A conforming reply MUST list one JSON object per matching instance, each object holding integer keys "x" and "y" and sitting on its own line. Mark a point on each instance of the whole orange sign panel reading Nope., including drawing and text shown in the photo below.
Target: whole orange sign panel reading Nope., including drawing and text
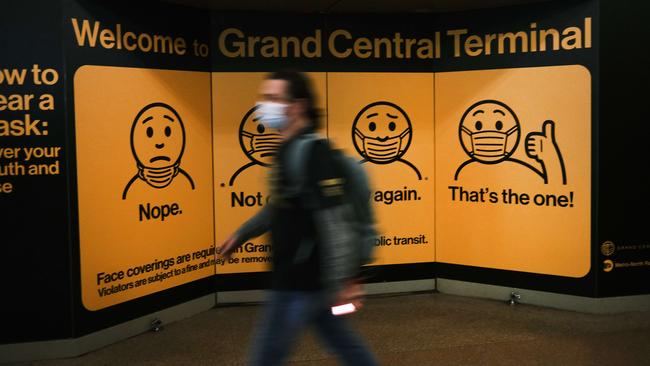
{"x": 144, "y": 181}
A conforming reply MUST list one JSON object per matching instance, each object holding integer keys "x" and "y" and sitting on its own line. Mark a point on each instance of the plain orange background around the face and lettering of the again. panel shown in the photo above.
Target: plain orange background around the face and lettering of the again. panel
{"x": 349, "y": 93}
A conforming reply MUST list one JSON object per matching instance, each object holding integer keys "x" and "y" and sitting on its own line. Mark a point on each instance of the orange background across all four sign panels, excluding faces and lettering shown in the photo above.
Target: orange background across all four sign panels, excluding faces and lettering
{"x": 531, "y": 238}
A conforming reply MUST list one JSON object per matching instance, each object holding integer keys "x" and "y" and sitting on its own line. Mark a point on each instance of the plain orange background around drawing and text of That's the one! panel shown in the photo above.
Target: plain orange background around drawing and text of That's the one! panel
{"x": 531, "y": 238}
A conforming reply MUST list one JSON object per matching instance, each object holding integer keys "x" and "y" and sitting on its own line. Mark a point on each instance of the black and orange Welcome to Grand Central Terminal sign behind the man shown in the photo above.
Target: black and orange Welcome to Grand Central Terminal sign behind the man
{"x": 476, "y": 137}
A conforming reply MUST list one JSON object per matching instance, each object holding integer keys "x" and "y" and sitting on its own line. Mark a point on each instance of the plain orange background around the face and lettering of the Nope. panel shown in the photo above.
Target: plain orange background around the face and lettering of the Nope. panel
{"x": 112, "y": 238}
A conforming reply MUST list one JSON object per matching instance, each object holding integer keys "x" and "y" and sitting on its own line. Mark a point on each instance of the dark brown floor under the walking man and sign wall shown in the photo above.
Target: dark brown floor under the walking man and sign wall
{"x": 415, "y": 329}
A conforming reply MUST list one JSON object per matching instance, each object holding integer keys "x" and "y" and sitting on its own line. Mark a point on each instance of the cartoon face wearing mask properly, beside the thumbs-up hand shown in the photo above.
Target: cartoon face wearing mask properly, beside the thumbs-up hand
{"x": 489, "y": 131}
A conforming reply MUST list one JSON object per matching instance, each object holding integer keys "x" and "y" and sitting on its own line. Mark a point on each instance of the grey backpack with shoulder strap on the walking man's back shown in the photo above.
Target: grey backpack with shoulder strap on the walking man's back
{"x": 356, "y": 191}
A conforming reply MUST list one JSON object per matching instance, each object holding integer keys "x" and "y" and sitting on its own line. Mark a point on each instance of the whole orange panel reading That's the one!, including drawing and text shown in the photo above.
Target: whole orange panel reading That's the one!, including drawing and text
{"x": 513, "y": 169}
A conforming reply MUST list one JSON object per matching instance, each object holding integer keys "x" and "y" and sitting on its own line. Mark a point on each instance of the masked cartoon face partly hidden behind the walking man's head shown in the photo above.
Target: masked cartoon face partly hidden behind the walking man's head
{"x": 259, "y": 142}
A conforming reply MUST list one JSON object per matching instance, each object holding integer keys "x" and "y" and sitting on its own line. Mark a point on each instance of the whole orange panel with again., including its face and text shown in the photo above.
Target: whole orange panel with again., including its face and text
{"x": 386, "y": 121}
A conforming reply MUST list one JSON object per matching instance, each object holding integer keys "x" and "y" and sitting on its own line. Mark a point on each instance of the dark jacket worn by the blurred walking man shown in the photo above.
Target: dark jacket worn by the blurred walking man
{"x": 306, "y": 218}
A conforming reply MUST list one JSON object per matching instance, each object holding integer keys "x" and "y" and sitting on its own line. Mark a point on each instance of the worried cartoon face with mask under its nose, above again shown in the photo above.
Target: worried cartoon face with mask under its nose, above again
{"x": 381, "y": 132}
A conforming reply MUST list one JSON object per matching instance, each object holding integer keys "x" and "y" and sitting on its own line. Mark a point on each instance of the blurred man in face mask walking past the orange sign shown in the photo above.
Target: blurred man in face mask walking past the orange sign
{"x": 311, "y": 270}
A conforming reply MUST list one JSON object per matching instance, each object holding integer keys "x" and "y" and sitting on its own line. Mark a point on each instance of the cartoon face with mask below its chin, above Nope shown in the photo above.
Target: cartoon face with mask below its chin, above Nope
{"x": 157, "y": 143}
